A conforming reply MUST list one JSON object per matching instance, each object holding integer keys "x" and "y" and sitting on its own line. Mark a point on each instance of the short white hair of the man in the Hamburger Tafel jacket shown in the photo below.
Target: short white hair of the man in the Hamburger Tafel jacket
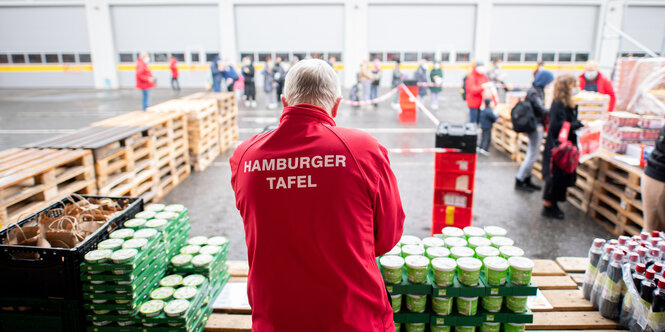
{"x": 312, "y": 82}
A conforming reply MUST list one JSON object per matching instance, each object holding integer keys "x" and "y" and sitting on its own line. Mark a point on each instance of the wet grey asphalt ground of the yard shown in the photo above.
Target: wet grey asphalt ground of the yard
{"x": 30, "y": 115}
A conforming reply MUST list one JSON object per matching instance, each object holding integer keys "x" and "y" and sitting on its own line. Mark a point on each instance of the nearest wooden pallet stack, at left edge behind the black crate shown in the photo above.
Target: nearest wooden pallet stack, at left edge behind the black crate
{"x": 32, "y": 179}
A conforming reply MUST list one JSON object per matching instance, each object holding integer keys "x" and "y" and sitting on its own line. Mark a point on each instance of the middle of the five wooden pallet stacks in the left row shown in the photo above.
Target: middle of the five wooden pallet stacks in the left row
{"x": 171, "y": 144}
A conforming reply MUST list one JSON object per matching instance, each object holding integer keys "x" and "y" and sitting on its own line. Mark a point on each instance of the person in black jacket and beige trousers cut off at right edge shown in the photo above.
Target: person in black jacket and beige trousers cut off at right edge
{"x": 653, "y": 187}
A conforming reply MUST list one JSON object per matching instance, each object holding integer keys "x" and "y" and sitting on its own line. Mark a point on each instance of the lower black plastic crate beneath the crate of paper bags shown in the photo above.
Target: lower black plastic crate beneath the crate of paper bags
{"x": 21, "y": 314}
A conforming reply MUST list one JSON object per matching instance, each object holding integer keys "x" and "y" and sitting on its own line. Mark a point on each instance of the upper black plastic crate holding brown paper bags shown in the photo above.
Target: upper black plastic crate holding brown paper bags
{"x": 56, "y": 273}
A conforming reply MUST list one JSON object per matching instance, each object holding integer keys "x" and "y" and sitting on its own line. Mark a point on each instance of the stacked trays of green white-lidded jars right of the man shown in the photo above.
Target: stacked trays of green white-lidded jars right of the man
{"x": 469, "y": 279}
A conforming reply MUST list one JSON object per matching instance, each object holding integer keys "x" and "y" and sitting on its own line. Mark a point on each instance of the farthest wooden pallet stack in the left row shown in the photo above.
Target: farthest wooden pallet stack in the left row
{"x": 228, "y": 115}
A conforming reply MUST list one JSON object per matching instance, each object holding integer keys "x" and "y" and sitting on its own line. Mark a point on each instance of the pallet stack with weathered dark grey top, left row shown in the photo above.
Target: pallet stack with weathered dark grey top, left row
{"x": 124, "y": 158}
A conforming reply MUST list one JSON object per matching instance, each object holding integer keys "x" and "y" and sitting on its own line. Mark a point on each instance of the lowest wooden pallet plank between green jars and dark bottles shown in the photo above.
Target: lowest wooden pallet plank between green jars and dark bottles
{"x": 573, "y": 320}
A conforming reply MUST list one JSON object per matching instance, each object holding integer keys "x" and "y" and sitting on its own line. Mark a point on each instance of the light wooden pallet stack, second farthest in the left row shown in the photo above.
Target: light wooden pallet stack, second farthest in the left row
{"x": 203, "y": 122}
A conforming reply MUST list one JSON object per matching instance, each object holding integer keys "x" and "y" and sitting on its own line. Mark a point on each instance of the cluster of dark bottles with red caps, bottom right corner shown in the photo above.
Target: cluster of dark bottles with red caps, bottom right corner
{"x": 624, "y": 280}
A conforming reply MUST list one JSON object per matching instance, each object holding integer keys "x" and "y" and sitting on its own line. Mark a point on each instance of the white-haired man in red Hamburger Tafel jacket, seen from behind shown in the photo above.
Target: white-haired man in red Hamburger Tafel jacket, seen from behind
{"x": 319, "y": 203}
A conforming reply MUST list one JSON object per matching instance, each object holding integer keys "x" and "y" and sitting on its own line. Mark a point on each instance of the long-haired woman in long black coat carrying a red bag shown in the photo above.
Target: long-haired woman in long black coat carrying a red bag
{"x": 563, "y": 110}
